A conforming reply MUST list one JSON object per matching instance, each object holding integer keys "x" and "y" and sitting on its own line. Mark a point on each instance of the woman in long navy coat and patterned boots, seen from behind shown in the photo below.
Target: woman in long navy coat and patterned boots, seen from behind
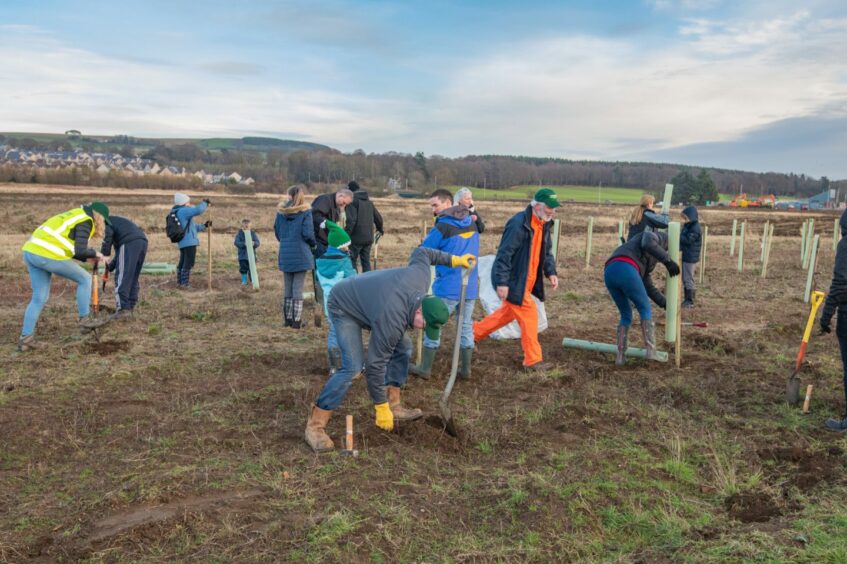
{"x": 296, "y": 235}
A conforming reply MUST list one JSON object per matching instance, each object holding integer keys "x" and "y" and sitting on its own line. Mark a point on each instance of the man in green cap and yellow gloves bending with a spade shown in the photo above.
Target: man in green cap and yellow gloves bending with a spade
{"x": 388, "y": 303}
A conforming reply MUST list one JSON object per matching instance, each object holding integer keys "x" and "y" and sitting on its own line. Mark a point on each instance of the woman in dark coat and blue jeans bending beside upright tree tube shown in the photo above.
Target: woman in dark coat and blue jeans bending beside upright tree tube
{"x": 627, "y": 277}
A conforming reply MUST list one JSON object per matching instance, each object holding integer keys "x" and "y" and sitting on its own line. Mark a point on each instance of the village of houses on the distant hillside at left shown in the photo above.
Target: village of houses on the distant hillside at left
{"x": 109, "y": 163}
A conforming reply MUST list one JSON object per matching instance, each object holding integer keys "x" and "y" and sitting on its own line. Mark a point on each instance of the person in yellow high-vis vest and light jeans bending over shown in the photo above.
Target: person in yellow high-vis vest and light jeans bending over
{"x": 50, "y": 251}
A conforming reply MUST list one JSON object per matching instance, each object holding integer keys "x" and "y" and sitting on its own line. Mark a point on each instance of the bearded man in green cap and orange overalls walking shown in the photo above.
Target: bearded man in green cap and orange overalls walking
{"x": 524, "y": 258}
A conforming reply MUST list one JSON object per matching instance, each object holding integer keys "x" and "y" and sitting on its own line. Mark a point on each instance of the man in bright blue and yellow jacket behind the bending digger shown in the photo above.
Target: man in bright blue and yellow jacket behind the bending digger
{"x": 456, "y": 232}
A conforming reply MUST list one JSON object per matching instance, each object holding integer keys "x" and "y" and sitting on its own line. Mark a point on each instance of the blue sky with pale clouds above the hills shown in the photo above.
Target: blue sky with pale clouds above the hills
{"x": 758, "y": 85}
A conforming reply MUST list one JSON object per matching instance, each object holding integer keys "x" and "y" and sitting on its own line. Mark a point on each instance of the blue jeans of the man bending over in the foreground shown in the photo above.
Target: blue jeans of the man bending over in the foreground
{"x": 349, "y": 335}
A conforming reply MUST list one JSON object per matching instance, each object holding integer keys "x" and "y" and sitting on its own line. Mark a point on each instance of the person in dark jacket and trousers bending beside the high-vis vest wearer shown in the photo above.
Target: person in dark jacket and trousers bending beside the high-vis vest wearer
{"x": 130, "y": 245}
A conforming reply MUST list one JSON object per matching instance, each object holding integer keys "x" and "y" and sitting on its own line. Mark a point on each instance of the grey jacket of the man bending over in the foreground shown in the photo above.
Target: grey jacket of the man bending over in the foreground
{"x": 385, "y": 301}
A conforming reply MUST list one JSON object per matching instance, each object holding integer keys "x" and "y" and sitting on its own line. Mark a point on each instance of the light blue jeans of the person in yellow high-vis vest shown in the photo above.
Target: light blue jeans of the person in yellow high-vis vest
{"x": 41, "y": 270}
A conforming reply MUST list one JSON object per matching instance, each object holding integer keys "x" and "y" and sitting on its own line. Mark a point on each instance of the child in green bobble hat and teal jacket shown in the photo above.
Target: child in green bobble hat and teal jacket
{"x": 332, "y": 267}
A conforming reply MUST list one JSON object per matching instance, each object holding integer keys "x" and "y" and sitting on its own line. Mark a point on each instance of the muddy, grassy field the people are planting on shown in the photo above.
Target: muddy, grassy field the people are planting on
{"x": 179, "y": 435}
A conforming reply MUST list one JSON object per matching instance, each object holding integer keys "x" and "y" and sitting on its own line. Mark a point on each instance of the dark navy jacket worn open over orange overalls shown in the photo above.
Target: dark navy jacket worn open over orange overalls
{"x": 512, "y": 261}
